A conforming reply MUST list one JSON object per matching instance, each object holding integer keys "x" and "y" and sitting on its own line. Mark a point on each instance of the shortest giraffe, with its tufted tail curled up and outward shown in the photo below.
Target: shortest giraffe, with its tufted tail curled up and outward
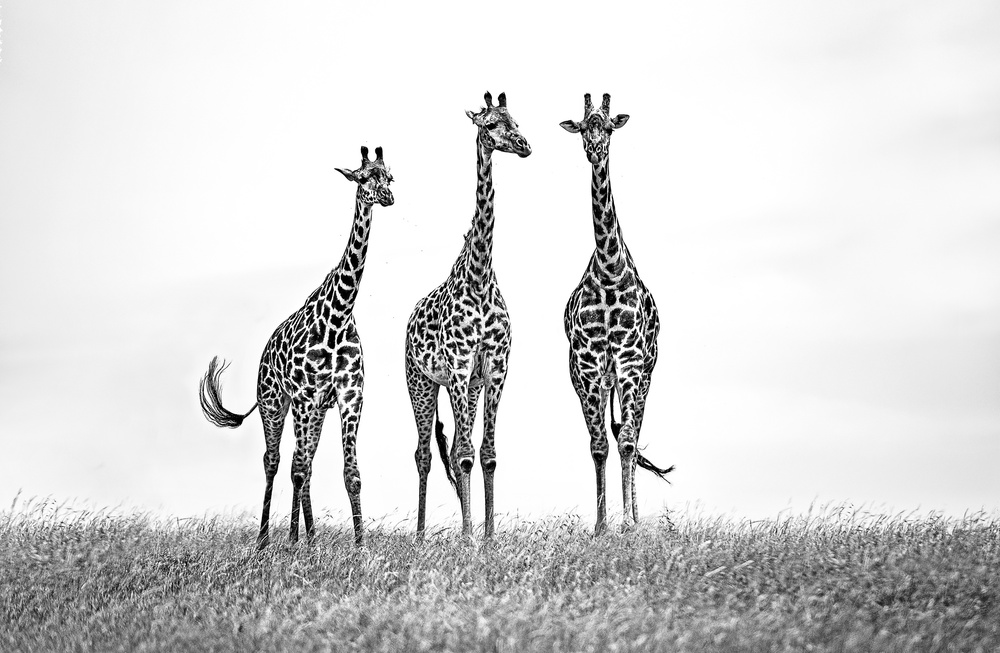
{"x": 311, "y": 363}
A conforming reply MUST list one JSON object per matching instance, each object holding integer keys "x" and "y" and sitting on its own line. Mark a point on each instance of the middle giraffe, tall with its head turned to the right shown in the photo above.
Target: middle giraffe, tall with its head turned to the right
{"x": 458, "y": 336}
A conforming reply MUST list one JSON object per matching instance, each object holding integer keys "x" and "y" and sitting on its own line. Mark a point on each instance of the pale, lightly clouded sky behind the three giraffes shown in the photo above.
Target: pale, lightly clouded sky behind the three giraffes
{"x": 808, "y": 189}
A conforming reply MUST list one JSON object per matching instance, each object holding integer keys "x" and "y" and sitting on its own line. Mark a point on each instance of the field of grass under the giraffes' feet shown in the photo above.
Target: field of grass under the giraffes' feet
{"x": 841, "y": 580}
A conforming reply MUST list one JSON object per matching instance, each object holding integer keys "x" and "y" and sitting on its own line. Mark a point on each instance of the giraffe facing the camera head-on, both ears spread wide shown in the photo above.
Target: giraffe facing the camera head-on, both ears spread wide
{"x": 612, "y": 324}
